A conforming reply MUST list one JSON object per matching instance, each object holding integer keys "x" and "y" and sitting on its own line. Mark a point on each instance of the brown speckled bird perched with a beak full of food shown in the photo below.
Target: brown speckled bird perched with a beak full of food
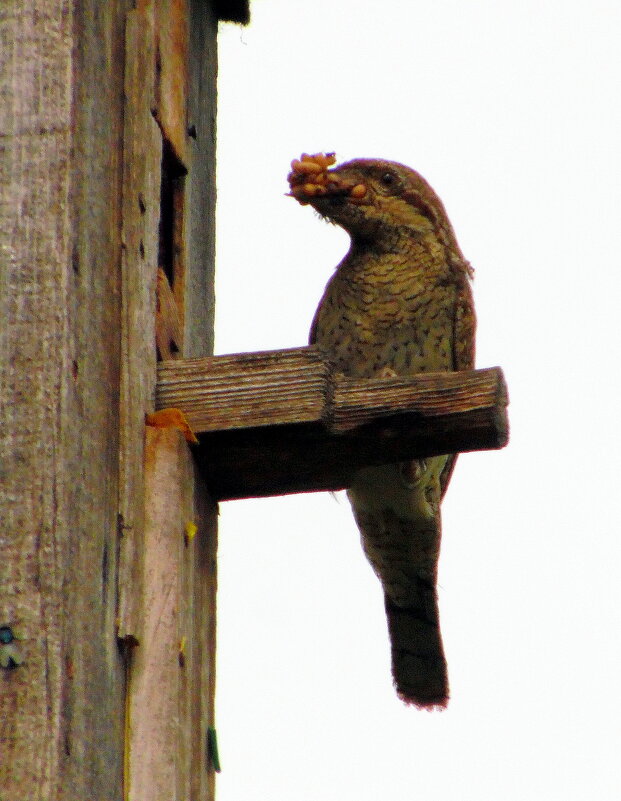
{"x": 399, "y": 304}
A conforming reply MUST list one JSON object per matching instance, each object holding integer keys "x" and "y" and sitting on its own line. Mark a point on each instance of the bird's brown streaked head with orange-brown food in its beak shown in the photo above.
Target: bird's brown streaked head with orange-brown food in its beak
{"x": 375, "y": 201}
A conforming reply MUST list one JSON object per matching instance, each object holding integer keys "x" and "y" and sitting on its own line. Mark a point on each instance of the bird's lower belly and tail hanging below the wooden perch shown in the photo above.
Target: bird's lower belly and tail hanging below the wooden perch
{"x": 397, "y": 509}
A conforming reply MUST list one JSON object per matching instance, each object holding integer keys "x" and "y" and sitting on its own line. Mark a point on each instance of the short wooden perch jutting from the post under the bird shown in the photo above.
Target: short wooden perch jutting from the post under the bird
{"x": 277, "y": 422}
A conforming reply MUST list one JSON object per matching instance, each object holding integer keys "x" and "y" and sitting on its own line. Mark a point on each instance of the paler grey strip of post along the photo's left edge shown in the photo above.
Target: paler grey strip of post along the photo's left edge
{"x": 35, "y": 232}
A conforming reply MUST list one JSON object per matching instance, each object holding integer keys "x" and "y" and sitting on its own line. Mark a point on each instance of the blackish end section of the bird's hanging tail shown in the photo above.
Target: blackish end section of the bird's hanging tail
{"x": 418, "y": 664}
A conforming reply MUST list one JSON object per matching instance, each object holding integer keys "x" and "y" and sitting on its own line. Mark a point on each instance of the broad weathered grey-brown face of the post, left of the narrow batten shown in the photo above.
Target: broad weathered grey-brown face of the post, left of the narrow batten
{"x": 60, "y": 197}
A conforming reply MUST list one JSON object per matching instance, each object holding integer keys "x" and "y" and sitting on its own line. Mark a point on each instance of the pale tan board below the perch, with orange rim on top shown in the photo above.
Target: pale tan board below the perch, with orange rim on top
{"x": 172, "y": 672}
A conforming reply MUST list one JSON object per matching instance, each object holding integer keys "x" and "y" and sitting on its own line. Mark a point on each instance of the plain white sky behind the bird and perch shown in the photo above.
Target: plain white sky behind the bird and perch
{"x": 512, "y": 112}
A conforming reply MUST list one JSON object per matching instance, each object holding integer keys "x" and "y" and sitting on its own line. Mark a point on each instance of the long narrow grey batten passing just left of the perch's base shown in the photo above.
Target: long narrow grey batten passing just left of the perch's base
{"x": 142, "y": 154}
